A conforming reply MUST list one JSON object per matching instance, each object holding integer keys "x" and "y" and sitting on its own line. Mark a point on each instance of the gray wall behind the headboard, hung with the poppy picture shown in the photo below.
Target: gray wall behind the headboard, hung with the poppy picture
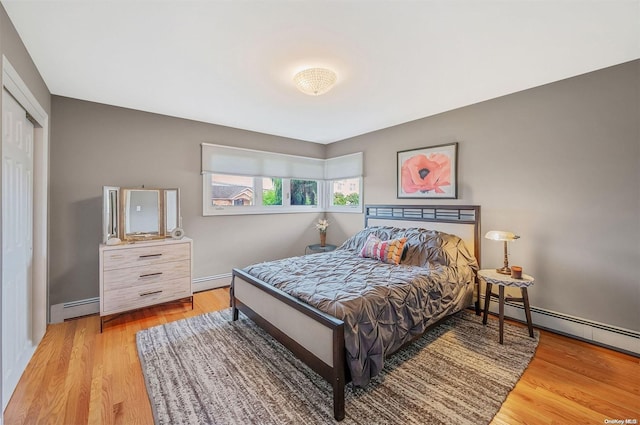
{"x": 558, "y": 165}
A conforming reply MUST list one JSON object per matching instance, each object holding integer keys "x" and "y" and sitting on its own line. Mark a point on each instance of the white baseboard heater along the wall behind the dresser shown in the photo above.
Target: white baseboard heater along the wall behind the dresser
{"x": 70, "y": 310}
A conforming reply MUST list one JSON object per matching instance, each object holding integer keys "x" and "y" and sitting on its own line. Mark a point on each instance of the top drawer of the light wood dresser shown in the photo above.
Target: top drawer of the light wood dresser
{"x": 145, "y": 255}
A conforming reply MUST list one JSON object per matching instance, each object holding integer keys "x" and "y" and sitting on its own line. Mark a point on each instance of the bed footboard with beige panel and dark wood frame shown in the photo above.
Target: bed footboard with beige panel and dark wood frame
{"x": 314, "y": 337}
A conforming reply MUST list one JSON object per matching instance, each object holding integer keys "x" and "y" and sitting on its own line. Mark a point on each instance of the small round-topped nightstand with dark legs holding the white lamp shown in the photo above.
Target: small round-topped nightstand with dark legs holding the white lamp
{"x": 492, "y": 277}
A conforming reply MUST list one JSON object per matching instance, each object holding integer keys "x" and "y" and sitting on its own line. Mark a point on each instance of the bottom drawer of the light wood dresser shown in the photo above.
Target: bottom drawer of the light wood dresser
{"x": 137, "y": 296}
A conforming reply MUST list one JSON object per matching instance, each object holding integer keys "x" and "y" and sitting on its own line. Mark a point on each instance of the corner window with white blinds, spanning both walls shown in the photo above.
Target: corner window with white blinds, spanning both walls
{"x": 238, "y": 181}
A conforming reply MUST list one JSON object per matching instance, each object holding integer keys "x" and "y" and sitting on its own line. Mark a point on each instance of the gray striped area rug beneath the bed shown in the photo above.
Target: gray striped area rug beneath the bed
{"x": 209, "y": 370}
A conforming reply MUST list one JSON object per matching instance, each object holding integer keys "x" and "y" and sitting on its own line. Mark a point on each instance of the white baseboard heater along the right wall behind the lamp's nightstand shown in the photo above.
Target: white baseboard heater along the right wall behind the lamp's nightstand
{"x": 599, "y": 333}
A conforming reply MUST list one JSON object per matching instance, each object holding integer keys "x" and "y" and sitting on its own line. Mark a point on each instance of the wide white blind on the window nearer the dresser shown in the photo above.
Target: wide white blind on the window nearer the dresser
{"x": 248, "y": 162}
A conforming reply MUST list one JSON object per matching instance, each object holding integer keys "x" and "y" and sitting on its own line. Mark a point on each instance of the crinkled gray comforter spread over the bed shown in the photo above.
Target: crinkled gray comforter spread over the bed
{"x": 383, "y": 305}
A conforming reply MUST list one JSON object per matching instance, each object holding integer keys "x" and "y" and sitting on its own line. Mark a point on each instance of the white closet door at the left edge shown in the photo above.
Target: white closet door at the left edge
{"x": 17, "y": 243}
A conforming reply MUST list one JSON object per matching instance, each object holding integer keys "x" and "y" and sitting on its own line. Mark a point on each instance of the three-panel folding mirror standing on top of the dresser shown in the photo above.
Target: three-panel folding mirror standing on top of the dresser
{"x": 139, "y": 214}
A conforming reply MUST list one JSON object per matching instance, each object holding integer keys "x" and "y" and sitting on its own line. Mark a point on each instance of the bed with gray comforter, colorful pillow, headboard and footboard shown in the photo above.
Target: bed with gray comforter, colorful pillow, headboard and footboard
{"x": 343, "y": 312}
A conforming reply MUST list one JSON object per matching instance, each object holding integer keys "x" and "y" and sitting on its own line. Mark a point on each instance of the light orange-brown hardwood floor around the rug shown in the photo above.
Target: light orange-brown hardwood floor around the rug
{"x": 79, "y": 376}
